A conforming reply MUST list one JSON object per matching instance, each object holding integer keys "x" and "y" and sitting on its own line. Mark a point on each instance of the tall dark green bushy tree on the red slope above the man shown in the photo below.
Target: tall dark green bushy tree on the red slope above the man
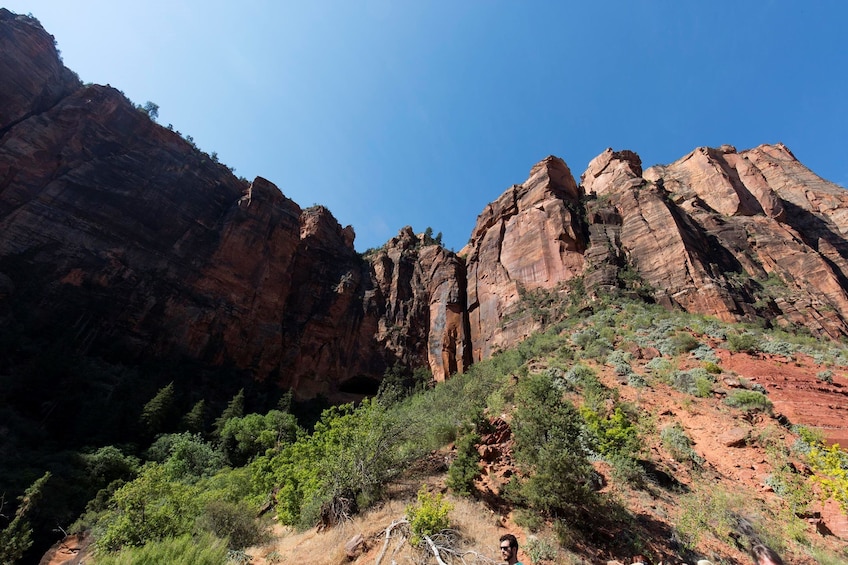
{"x": 548, "y": 449}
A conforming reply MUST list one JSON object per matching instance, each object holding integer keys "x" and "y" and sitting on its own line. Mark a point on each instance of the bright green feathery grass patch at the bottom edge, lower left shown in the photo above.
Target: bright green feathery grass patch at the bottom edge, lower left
{"x": 203, "y": 549}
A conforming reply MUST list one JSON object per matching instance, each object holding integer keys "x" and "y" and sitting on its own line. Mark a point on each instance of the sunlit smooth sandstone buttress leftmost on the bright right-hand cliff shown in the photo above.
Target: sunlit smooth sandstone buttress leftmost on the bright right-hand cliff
{"x": 529, "y": 238}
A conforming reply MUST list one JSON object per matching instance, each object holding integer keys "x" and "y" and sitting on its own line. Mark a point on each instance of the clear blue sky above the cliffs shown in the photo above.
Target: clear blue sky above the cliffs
{"x": 420, "y": 112}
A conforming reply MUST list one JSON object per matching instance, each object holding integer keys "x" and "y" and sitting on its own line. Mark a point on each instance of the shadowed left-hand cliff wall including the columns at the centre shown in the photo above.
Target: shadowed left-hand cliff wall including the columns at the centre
{"x": 122, "y": 239}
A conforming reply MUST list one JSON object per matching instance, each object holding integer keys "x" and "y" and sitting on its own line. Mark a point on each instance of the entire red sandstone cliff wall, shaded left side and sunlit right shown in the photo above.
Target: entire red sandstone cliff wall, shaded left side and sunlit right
{"x": 145, "y": 247}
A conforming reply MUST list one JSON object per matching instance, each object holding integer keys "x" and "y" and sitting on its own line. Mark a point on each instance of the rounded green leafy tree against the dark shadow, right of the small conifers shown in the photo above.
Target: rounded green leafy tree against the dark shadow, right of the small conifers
{"x": 244, "y": 438}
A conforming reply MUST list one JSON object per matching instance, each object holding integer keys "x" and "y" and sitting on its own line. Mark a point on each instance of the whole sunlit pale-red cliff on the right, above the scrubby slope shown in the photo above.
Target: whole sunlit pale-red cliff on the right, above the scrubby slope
{"x": 720, "y": 232}
